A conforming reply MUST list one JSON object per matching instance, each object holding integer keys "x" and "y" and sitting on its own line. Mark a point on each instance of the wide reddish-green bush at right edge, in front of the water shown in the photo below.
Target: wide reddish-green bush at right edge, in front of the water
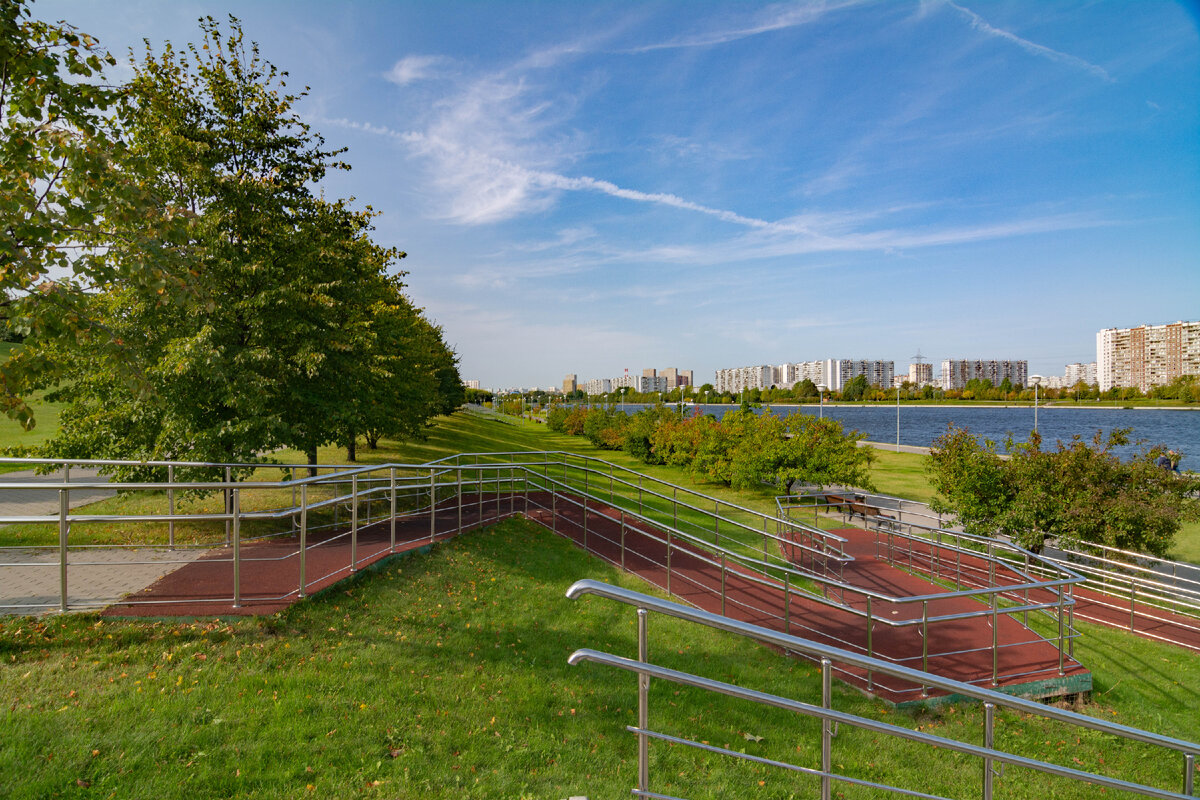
{"x": 1078, "y": 491}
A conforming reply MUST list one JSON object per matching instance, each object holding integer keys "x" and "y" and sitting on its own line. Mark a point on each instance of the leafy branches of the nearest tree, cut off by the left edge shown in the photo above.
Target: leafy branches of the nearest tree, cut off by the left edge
{"x": 67, "y": 190}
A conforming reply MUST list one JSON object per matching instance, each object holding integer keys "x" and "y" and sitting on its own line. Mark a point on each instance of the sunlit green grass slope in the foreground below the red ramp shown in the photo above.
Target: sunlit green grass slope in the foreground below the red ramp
{"x": 445, "y": 676}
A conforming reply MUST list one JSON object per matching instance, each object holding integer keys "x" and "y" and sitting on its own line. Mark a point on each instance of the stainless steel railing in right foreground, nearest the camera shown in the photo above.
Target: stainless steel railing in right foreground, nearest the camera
{"x": 825, "y": 773}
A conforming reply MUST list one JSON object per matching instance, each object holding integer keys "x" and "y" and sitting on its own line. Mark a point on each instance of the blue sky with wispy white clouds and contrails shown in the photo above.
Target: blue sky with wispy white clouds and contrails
{"x": 586, "y": 188}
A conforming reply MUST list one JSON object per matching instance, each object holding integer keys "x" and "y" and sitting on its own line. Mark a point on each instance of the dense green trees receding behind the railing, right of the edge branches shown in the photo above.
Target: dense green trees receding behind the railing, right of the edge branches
{"x": 290, "y": 332}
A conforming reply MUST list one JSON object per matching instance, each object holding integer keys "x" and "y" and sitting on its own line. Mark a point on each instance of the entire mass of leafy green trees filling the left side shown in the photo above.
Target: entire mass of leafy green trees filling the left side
{"x": 178, "y": 279}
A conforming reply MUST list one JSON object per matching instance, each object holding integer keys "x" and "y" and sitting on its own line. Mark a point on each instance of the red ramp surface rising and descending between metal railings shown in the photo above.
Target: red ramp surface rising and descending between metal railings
{"x": 959, "y": 649}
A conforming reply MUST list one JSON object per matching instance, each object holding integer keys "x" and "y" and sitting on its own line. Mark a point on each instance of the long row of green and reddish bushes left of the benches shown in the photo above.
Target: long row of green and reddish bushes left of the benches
{"x": 742, "y": 450}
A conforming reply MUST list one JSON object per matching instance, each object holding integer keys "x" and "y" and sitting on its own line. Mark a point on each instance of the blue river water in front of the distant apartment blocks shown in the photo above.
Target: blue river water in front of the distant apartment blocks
{"x": 920, "y": 425}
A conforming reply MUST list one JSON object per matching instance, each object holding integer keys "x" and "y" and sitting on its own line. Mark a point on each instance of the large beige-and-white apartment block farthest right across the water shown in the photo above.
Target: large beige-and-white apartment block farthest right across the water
{"x": 1147, "y": 357}
